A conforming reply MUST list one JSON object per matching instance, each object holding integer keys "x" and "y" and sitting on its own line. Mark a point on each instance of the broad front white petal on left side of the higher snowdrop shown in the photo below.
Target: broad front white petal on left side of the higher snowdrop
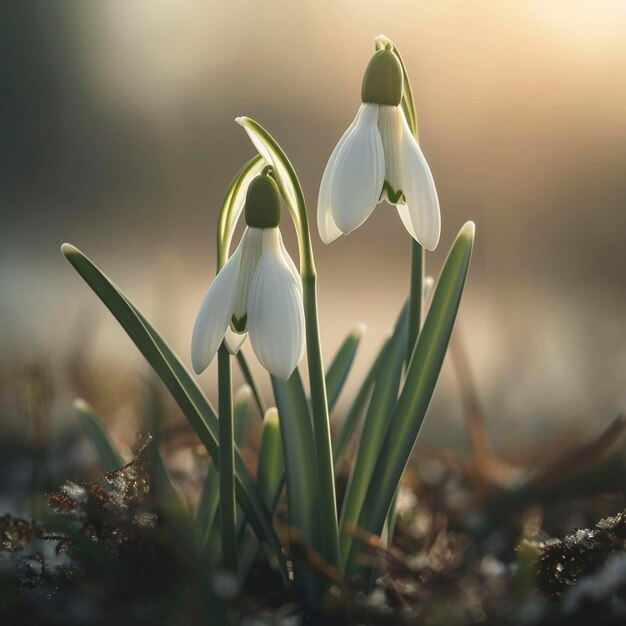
{"x": 358, "y": 173}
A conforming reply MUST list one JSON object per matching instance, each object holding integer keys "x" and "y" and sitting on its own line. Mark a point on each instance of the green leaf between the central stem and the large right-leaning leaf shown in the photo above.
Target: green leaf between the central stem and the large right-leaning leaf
{"x": 375, "y": 426}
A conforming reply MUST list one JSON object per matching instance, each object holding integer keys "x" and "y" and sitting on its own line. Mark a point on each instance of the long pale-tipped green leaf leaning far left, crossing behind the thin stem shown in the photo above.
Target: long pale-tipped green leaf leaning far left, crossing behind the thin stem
{"x": 184, "y": 390}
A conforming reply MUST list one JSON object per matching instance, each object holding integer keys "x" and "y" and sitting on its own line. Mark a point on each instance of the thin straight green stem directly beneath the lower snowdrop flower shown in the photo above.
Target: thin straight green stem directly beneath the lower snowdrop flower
{"x": 226, "y": 462}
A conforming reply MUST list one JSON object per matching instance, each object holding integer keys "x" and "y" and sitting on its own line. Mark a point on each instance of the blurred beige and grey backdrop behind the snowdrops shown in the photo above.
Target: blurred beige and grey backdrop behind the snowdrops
{"x": 117, "y": 135}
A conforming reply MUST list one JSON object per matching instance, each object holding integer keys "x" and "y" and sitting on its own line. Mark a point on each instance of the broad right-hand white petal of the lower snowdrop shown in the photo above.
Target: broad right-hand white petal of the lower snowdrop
{"x": 275, "y": 310}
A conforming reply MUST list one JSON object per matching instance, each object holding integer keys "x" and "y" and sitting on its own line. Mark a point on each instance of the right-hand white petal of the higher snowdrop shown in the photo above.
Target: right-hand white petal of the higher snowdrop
{"x": 419, "y": 191}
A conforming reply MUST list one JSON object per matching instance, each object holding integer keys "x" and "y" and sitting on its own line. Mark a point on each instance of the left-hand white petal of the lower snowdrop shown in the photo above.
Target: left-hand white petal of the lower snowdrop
{"x": 215, "y": 313}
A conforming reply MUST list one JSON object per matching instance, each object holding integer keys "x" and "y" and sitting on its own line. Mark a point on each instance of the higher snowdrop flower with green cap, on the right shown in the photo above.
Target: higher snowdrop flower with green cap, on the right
{"x": 378, "y": 158}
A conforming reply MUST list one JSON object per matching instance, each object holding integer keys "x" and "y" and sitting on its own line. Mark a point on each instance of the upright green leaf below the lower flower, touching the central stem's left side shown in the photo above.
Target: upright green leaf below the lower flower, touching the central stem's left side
{"x": 300, "y": 466}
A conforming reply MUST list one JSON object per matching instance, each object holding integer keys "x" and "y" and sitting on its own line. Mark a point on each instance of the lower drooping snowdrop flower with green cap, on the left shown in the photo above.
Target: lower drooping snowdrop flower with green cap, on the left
{"x": 257, "y": 292}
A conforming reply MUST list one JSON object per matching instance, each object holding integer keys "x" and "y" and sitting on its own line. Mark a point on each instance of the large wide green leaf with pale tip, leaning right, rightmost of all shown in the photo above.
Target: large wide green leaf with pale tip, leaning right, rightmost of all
{"x": 421, "y": 377}
